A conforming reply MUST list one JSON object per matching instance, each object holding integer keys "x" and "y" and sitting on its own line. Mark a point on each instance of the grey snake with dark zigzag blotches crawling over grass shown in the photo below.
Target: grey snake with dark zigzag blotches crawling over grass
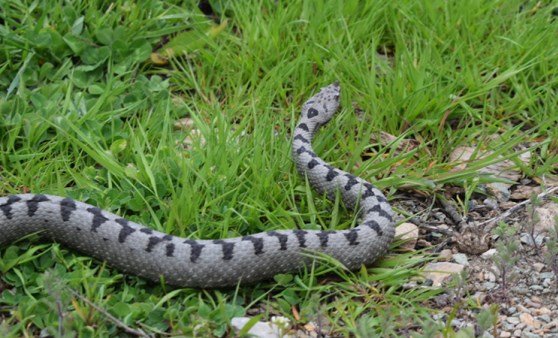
{"x": 184, "y": 262}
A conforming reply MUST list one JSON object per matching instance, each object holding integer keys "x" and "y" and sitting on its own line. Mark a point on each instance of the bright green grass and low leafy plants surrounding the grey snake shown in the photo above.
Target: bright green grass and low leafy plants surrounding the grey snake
{"x": 85, "y": 113}
